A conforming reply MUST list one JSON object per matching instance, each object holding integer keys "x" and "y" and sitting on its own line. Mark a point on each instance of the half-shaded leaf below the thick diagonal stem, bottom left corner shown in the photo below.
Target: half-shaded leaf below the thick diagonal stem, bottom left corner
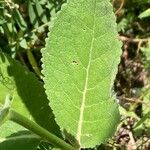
{"x": 15, "y": 137}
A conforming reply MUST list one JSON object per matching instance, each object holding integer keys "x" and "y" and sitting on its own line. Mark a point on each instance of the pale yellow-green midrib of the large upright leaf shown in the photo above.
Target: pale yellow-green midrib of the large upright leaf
{"x": 81, "y": 117}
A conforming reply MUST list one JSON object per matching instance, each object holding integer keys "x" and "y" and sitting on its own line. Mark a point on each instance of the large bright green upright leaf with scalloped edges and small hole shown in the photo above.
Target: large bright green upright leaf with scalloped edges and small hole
{"x": 80, "y": 64}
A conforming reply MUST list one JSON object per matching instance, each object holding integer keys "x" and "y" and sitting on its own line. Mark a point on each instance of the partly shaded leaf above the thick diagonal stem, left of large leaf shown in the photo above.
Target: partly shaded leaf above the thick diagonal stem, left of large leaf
{"x": 29, "y": 98}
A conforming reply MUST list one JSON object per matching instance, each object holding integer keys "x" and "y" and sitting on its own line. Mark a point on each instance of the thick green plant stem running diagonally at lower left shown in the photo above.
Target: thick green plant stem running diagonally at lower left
{"x": 43, "y": 133}
